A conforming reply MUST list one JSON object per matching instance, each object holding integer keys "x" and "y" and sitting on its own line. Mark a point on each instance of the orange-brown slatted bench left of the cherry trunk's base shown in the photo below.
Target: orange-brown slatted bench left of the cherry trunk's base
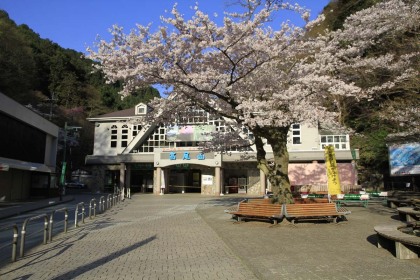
{"x": 263, "y": 211}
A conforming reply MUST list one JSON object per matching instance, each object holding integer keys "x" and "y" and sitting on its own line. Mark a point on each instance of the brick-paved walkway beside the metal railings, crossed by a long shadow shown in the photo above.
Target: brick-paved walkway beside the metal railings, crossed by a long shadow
{"x": 147, "y": 237}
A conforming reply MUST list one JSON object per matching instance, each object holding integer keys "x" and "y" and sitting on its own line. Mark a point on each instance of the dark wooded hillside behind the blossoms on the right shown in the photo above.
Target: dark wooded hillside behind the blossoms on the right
{"x": 396, "y": 113}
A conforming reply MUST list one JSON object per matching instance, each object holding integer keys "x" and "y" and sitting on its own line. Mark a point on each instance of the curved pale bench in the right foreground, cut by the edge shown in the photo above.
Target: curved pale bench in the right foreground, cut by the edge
{"x": 406, "y": 245}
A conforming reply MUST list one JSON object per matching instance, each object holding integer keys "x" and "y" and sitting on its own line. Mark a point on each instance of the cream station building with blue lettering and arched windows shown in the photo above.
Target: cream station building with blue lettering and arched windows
{"x": 162, "y": 159}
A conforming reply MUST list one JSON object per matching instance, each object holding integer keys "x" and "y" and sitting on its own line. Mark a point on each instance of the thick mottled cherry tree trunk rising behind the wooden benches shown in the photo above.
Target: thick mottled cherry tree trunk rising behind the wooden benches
{"x": 275, "y": 169}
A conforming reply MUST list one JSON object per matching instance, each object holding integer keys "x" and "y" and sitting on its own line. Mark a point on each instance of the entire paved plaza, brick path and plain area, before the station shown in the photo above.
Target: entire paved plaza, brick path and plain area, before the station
{"x": 190, "y": 237}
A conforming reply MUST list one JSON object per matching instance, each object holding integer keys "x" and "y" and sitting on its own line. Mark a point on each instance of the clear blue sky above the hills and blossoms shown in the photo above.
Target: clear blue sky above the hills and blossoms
{"x": 75, "y": 24}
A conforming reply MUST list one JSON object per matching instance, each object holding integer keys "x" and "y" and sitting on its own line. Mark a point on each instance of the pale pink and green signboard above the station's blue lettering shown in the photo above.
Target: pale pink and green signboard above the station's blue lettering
{"x": 189, "y": 133}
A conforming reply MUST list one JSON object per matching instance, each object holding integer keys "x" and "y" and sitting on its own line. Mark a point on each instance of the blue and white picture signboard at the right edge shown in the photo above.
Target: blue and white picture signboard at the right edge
{"x": 404, "y": 159}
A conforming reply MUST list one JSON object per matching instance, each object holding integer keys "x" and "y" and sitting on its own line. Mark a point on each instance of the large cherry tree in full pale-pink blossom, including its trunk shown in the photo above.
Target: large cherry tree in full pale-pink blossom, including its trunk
{"x": 258, "y": 76}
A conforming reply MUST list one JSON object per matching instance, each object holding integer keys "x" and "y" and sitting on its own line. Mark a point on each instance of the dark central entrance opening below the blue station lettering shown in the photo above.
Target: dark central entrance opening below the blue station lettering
{"x": 185, "y": 181}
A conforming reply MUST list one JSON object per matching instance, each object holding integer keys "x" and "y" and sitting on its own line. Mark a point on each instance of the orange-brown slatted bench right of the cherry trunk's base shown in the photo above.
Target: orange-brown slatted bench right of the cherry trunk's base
{"x": 314, "y": 211}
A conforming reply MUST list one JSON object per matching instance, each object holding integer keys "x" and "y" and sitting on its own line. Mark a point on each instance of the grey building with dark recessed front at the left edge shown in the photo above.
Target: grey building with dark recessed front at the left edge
{"x": 28, "y": 151}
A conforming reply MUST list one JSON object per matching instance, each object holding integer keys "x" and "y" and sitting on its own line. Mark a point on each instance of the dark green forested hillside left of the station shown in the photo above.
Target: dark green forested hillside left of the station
{"x": 57, "y": 83}
